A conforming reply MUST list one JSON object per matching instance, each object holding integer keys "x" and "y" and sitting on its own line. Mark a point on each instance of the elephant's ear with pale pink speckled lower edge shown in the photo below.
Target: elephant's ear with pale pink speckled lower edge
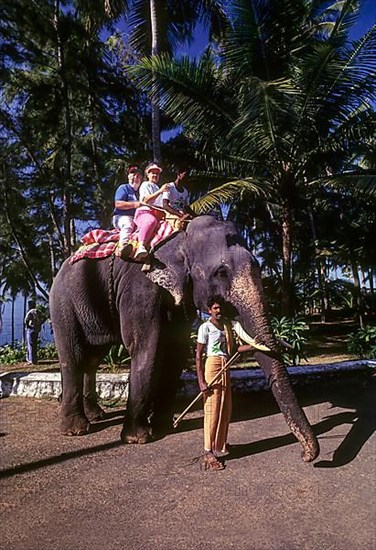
{"x": 170, "y": 267}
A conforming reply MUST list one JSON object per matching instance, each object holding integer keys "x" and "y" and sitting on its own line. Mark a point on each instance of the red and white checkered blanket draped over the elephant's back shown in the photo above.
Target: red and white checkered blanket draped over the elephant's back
{"x": 101, "y": 243}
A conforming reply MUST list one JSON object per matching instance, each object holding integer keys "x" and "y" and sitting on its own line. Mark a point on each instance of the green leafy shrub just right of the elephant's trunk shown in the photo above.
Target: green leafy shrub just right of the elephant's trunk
{"x": 293, "y": 332}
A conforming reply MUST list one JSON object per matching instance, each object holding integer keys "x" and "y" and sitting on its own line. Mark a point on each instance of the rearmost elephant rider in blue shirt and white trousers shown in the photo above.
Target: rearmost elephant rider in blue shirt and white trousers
{"x": 126, "y": 202}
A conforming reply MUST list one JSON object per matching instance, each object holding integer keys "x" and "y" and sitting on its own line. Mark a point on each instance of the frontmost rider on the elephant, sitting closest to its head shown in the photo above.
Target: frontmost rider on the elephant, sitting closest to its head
{"x": 176, "y": 200}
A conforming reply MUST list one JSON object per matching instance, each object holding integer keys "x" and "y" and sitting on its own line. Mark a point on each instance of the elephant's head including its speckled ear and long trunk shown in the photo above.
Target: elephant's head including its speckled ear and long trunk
{"x": 210, "y": 258}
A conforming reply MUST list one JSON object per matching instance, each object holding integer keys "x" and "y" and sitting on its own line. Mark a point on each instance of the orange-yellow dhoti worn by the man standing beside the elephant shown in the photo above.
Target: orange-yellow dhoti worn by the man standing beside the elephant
{"x": 217, "y": 406}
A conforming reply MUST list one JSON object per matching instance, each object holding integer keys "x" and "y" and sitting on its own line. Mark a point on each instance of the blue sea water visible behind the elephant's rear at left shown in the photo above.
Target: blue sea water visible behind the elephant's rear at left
{"x": 46, "y": 335}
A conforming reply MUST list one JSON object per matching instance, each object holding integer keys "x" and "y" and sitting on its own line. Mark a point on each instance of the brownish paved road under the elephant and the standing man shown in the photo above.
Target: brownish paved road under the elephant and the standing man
{"x": 93, "y": 493}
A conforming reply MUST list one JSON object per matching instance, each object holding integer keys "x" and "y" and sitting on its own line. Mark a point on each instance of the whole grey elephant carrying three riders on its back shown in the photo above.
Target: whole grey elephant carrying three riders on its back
{"x": 95, "y": 304}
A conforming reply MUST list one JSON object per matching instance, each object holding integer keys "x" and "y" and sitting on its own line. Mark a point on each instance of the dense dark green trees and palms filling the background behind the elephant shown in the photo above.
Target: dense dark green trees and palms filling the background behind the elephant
{"x": 276, "y": 120}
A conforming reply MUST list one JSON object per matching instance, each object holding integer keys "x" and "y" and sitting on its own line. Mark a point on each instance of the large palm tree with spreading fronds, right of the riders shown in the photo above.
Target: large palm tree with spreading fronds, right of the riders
{"x": 284, "y": 108}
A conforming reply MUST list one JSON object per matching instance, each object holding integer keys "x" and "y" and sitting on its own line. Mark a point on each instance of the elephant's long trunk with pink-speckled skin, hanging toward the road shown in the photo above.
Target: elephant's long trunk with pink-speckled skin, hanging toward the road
{"x": 246, "y": 295}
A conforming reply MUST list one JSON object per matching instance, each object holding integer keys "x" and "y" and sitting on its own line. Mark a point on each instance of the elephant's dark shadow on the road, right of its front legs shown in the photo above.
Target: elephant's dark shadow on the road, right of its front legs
{"x": 357, "y": 393}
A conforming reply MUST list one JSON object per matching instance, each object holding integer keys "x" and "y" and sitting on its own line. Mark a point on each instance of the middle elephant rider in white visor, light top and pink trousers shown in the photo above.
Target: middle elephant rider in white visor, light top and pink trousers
{"x": 151, "y": 210}
